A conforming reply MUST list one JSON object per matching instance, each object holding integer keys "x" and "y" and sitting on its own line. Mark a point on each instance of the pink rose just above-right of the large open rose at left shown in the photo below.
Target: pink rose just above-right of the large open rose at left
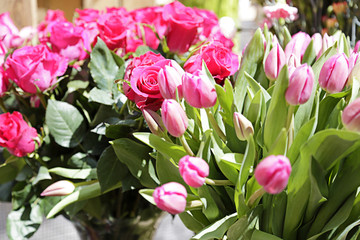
{"x": 69, "y": 41}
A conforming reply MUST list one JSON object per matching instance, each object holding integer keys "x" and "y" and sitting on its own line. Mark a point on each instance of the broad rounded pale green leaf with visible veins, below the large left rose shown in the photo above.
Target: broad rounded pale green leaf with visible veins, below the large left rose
{"x": 65, "y": 123}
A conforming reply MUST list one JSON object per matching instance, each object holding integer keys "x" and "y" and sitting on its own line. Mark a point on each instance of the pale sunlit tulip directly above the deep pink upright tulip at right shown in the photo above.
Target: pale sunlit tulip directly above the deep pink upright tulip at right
{"x": 297, "y": 45}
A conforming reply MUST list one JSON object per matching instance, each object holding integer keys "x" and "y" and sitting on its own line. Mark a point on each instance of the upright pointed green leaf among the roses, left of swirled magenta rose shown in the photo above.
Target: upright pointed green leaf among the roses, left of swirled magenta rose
{"x": 103, "y": 67}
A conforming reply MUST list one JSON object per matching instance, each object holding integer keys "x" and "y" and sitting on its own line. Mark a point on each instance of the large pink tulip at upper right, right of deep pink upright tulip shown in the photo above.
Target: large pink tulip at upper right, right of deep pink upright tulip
{"x": 334, "y": 73}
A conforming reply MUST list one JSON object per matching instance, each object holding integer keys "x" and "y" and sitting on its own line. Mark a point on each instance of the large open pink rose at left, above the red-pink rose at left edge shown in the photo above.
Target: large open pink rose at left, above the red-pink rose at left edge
{"x": 33, "y": 66}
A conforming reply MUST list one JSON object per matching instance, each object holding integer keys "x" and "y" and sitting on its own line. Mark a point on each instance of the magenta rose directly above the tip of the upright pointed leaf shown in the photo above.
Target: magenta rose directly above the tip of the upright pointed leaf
{"x": 113, "y": 29}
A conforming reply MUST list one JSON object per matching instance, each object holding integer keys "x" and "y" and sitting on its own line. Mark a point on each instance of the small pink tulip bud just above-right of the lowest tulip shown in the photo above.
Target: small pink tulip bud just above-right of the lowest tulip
{"x": 193, "y": 170}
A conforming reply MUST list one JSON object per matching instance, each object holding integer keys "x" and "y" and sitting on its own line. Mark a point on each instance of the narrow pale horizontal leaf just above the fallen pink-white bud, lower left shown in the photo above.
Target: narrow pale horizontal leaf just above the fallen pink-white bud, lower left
{"x": 88, "y": 173}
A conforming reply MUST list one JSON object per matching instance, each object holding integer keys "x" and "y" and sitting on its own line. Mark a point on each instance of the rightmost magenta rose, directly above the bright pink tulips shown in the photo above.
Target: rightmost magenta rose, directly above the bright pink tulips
{"x": 220, "y": 61}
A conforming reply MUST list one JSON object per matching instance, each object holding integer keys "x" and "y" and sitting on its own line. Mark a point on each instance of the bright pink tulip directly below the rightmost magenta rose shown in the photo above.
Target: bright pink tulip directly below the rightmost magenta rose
{"x": 198, "y": 90}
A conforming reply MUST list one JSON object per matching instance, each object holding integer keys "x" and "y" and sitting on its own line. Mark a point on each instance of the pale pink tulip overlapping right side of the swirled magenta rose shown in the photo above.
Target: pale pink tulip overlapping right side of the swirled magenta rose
{"x": 169, "y": 80}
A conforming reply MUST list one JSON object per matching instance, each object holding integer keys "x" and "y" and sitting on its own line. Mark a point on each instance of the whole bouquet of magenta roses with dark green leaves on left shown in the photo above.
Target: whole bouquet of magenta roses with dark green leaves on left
{"x": 72, "y": 94}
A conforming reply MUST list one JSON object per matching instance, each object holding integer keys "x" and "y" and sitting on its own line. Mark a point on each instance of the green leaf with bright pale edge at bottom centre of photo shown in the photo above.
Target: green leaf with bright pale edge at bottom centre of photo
{"x": 217, "y": 229}
